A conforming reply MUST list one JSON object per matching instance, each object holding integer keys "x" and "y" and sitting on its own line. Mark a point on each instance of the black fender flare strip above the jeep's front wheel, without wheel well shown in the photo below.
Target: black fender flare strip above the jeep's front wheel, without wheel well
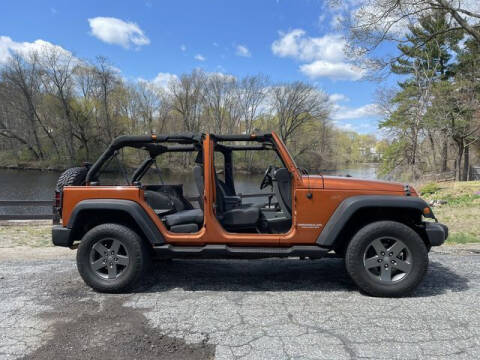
{"x": 351, "y": 205}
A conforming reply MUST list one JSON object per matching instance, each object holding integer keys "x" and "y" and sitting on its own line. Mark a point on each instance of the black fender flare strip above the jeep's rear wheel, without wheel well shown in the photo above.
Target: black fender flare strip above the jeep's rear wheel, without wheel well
{"x": 133, "y": 209}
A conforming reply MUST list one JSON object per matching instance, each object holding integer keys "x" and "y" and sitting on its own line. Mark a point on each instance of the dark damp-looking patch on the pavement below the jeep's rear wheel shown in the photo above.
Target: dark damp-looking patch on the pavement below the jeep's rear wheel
{"x": 108, "y": 330}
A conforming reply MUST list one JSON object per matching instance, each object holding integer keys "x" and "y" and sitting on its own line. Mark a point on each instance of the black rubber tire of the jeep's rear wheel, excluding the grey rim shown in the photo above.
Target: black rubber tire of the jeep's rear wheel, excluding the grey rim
{"x": 138, "y": 253}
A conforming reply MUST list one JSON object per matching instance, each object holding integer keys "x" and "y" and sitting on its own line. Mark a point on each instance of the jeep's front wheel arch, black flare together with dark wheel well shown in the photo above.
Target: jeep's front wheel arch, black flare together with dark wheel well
{"x": 356, "y": 212}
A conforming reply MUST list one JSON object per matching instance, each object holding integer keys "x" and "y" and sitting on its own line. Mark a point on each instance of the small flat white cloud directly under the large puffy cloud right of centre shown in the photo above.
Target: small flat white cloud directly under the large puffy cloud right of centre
{"x": 335, "y": 71}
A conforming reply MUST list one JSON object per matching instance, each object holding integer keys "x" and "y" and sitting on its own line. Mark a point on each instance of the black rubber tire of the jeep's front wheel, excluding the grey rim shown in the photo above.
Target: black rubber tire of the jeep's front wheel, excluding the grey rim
{"x": 354, "y": 259}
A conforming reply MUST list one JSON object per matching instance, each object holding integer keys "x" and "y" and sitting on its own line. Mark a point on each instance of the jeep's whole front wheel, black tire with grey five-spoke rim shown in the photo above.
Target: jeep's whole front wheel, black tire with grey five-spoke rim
{"x": 387, "y": 259}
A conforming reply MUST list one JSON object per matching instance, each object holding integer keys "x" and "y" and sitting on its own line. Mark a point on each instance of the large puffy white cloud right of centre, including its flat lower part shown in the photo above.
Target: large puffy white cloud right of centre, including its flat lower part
{"x": 323, "y": 56}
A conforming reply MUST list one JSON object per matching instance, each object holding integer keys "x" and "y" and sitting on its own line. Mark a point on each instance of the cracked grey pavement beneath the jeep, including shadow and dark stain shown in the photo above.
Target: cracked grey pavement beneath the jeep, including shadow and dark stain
{"x": 238, "y": 309}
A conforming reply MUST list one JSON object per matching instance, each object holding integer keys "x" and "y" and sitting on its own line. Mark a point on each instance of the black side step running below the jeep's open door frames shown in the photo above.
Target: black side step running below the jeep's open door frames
{"x": 239, "y": 252}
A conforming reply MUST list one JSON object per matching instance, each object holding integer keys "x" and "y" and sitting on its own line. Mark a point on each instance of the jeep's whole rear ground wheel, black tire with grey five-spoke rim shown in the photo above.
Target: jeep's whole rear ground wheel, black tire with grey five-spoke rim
{"x": 112, "y": 258}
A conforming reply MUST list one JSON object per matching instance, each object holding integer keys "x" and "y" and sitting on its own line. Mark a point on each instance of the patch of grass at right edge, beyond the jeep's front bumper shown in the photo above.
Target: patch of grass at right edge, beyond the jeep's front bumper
{"x": 461, "y": 212}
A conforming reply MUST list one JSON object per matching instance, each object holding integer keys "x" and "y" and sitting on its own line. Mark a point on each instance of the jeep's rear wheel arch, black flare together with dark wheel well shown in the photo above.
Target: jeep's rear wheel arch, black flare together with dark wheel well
{"x": 90, "y": 213}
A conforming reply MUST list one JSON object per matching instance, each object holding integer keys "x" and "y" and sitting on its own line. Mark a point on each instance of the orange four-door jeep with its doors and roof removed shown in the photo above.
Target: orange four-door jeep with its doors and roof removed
{"x": 380, "y": 228}
